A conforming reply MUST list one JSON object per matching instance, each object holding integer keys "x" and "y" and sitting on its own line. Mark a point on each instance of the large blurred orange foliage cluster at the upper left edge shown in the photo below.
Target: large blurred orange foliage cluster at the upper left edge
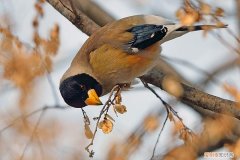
{"x": 22, "y": 65}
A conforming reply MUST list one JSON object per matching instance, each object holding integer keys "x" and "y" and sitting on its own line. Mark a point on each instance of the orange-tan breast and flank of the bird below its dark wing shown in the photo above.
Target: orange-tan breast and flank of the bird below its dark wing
{"x": 113, "y": 66}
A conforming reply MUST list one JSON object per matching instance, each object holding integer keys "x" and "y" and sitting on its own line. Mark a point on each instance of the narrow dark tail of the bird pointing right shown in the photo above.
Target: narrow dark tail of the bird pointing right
{"x": 200, "y": 27}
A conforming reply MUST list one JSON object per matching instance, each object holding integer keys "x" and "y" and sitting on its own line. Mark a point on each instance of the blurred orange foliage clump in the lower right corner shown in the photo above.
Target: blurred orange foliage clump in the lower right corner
{"x": 214, "y": 131}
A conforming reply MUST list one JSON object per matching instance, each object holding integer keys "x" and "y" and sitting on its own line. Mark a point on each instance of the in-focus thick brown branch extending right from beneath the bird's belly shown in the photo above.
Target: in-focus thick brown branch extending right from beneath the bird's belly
{"x": 196, "y": 97}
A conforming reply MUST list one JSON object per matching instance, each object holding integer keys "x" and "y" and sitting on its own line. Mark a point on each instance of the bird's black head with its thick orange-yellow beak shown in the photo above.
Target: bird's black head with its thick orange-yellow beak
{"x": 81, "y": 90}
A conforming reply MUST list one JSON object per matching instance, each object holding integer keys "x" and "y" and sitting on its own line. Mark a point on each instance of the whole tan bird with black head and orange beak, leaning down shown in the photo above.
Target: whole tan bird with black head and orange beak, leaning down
{"x": 117, "y": 53}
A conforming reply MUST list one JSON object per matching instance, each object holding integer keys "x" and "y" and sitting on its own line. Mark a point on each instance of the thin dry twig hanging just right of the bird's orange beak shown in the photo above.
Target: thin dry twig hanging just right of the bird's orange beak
{"x": 106, "y": 105}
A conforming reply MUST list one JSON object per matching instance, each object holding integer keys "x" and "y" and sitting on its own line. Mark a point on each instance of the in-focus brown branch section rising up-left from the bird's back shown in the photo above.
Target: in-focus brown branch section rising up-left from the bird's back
{"x": 81, "y": 21}
